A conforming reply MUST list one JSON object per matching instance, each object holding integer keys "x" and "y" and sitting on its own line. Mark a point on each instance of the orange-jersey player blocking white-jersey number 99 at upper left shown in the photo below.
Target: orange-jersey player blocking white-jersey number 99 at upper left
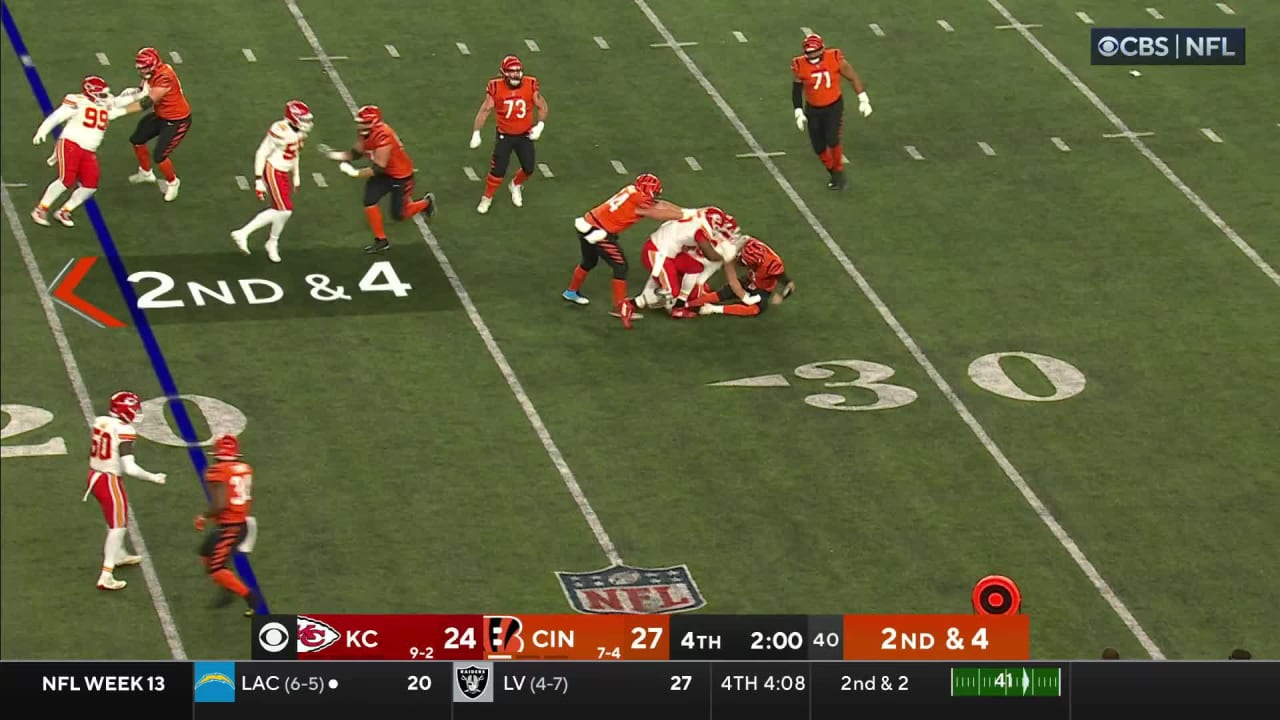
{"x": 167, "y": 121}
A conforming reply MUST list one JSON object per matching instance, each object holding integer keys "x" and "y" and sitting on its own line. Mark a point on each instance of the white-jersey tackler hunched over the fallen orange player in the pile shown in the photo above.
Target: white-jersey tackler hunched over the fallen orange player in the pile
{"x": 680, "y": 253}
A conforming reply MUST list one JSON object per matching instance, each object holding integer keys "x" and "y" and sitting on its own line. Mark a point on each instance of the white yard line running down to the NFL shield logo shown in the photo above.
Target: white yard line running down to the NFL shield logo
{"x": 500, "y": 358}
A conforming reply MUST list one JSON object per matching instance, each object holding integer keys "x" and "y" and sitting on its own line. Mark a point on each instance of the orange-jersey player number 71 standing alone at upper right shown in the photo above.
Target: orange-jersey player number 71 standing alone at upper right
{"x": 821, "y": 106}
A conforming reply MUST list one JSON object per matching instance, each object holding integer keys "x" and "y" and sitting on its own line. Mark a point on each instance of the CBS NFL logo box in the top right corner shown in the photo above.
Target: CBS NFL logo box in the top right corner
{"x": 1167, "y": 47}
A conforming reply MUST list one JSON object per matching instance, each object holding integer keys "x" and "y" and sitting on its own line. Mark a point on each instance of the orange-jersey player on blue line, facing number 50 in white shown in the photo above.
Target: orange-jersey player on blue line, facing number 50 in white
{"x": 231, "y": 500}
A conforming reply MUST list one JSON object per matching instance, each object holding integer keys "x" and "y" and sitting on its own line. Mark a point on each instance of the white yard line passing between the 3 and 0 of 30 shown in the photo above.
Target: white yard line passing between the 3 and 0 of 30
{"x": 1014, "y": 476}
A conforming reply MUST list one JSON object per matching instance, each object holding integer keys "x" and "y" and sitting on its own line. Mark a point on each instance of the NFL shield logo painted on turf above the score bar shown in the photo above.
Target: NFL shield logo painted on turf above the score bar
{"x": 624, "y": 590}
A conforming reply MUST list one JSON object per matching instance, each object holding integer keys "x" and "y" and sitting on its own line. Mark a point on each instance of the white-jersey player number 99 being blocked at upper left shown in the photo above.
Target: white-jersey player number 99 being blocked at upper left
{"x": 86, "y": 116}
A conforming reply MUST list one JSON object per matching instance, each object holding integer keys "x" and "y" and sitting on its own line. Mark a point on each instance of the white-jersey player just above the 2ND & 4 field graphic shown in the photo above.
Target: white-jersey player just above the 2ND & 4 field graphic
{"x": 276, "y": 166}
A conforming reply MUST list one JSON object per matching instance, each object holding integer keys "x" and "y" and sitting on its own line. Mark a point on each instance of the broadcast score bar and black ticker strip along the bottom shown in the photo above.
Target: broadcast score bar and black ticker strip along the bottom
{"x": 652, "y": 667}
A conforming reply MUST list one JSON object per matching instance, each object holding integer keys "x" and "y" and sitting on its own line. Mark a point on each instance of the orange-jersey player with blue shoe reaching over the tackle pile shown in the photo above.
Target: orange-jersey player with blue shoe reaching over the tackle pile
{"x": 600, "y": 229}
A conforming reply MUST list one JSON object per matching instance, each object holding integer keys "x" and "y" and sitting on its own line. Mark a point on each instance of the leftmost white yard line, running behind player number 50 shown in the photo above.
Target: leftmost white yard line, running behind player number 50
{"x": 65, "y": 349}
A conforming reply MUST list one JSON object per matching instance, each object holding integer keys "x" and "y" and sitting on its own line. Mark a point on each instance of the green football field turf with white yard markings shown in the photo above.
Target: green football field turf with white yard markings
{"x": 1039, "y": 335}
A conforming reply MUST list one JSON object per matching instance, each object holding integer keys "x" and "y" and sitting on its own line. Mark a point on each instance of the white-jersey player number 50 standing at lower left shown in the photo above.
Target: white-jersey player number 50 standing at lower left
{"x": 109, "y": 458}
